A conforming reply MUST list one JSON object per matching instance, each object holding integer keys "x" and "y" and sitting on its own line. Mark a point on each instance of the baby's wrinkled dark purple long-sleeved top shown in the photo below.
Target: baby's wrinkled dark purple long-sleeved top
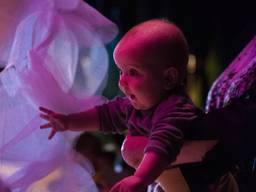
{"x": 166, "y": 125}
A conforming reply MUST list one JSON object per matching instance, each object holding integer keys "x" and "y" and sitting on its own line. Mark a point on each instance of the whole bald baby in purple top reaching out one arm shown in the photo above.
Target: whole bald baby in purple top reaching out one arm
{"x": 152, "y": 59}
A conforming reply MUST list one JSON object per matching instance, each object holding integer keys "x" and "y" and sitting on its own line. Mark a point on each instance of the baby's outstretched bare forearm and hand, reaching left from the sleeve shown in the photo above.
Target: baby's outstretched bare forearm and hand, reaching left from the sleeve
{"x": 83, "y": 121}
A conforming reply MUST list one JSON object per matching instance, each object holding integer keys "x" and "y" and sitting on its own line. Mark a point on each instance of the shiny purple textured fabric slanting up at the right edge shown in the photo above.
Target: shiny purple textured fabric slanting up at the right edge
{"x": 238, "y": 79}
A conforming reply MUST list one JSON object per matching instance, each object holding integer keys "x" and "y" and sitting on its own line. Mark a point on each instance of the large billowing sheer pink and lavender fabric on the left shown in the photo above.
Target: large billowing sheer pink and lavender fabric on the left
{"x": 54, "y": 56}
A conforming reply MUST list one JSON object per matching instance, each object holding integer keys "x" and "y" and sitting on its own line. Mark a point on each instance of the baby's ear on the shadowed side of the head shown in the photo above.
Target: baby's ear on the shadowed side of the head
{"x": 170, "y": 78}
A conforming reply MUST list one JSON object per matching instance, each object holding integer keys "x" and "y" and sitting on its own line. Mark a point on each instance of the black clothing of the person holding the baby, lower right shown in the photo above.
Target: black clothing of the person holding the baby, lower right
{"x": 234, "y": 127}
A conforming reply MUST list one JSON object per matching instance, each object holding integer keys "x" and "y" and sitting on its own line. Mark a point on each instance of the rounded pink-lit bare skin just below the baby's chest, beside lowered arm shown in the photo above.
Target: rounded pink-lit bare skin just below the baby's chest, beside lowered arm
{"x": 133, "y": 149}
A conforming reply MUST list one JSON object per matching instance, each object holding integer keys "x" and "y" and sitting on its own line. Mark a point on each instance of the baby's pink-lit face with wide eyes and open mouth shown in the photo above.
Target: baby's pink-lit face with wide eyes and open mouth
{"x": 141, "y": 83}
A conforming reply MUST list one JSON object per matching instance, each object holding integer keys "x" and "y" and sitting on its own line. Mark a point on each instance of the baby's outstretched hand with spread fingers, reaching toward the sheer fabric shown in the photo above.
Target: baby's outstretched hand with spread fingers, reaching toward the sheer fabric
{"x": 57, "y": 122}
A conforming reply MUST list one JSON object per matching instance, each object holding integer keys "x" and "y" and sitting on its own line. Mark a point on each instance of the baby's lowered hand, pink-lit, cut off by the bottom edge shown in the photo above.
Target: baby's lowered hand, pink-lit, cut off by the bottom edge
{"x": 130, "y": 184}
